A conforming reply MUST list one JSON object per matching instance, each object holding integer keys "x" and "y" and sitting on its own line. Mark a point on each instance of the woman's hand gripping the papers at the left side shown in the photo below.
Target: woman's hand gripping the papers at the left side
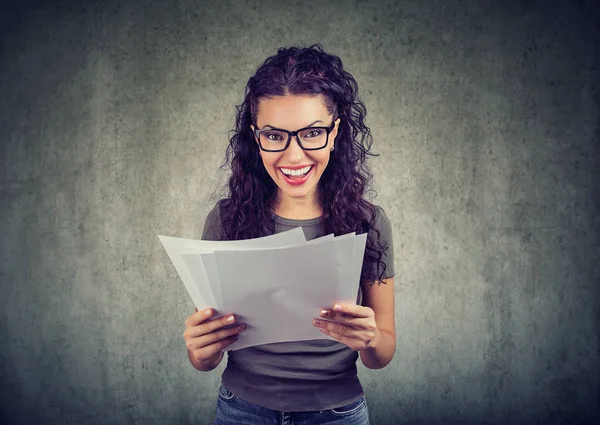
{"x": 206, "y": 339}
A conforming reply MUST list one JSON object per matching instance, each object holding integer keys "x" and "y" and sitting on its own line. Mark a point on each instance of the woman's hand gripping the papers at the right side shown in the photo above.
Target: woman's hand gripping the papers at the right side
{"x": 350, "y": 324}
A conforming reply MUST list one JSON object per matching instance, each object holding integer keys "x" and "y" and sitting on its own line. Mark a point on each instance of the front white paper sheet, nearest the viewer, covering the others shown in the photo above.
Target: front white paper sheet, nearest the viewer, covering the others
{"x": 277, "y": 292}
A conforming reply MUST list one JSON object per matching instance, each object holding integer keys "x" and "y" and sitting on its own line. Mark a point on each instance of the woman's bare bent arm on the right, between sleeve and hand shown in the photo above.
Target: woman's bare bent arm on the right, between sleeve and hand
{"x": 380, "y": 298}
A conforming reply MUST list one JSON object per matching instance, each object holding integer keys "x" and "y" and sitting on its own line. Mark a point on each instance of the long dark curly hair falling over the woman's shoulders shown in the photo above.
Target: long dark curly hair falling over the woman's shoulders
{"x": 248, "y": 211}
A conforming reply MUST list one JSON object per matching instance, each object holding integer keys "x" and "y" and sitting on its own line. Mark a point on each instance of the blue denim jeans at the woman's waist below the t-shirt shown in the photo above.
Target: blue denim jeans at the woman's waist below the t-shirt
{"x": 234, "y": 410}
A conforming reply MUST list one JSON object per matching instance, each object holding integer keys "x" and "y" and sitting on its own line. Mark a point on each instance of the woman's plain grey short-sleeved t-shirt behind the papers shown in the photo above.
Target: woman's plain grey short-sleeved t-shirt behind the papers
{"x": 297, "y": 376}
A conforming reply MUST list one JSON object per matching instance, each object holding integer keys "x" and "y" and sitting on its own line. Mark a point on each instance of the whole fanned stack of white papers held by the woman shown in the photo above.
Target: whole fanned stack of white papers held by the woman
{"x": 275, "y": 284}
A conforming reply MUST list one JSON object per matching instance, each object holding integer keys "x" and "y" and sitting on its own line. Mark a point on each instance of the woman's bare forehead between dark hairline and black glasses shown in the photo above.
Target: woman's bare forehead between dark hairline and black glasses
{"x": 291, "y": 111}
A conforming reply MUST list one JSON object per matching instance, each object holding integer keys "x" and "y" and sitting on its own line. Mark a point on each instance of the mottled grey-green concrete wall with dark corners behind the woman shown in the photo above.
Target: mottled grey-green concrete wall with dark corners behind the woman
{"x": 114, "y": 122}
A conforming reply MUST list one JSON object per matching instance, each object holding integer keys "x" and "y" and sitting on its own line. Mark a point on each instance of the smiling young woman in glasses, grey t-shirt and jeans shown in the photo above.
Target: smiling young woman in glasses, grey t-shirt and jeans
{"x": 298, "y": 160}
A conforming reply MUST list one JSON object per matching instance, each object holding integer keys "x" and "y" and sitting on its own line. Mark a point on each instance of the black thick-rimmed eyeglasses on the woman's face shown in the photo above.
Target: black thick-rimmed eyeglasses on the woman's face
{"x": 278, "y": 140}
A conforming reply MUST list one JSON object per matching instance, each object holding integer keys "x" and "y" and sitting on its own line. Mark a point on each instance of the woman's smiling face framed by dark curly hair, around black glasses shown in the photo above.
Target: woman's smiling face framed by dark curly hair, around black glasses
{"x": 293, "y": 112}
